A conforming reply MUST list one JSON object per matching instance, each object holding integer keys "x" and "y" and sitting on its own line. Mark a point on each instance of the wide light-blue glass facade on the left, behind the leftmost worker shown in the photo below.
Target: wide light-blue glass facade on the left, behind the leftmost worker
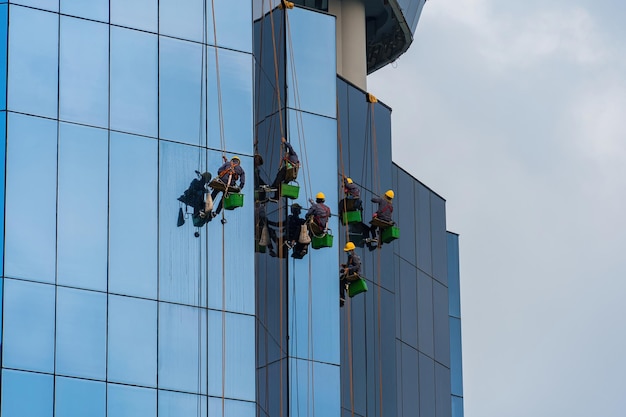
{"x": 109, "y": 308}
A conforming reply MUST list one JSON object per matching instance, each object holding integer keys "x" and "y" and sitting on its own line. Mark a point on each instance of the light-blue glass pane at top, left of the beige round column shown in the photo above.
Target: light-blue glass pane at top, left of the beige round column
{"x": 311, "y": 65}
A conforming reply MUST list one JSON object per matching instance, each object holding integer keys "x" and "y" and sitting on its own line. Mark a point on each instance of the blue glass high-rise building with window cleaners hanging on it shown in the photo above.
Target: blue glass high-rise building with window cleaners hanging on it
{"x": 111, "y": 307}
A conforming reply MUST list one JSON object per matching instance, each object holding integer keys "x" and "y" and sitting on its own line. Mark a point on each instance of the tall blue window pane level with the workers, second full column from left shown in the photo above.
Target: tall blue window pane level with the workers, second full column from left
{"x": 82, "y": 207}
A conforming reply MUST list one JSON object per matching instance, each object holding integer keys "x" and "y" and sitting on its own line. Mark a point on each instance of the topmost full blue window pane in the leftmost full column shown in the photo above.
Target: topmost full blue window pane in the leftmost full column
{"x": 33, "y": 61}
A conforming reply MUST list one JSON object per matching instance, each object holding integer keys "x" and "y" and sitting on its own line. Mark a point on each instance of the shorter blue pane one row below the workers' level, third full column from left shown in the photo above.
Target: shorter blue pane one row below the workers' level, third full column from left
{"x": 132, "y": 341}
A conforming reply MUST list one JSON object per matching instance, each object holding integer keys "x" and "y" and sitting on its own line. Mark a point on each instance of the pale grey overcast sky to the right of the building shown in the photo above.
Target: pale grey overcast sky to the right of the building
{"x": 515, "y": 113}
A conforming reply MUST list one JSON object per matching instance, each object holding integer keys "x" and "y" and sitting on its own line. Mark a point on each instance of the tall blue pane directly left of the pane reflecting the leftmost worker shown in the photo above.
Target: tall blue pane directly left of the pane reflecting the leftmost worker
{"x": 132, "y": 225}
